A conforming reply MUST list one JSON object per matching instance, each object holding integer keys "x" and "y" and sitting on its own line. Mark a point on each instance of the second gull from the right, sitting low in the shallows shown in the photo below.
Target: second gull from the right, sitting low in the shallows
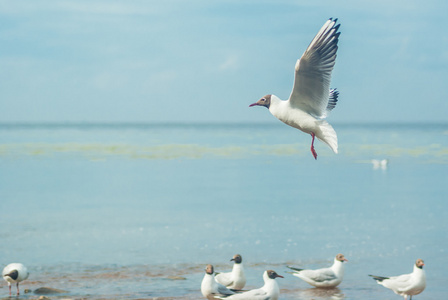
{"x": 323, "y": 278}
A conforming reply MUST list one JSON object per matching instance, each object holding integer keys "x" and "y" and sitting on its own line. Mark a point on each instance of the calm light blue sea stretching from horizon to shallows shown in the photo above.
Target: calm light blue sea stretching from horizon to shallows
{"x": 137, "y": 211}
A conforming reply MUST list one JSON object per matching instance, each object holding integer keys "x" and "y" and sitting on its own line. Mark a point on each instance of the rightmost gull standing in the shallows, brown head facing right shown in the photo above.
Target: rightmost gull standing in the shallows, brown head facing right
{"x": 407, "y": 284}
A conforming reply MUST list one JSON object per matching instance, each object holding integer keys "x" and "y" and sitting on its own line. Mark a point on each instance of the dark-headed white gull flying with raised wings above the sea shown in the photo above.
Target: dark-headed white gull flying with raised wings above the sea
{"x": 311, "y": 98}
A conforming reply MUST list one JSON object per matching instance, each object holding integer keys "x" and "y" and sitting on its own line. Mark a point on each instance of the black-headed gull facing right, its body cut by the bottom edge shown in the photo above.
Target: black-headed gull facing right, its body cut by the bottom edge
{"x": 269, "y": 291}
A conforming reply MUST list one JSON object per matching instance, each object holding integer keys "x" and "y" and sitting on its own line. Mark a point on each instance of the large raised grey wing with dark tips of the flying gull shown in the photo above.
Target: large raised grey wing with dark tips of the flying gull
{"x": 311, "y": 89}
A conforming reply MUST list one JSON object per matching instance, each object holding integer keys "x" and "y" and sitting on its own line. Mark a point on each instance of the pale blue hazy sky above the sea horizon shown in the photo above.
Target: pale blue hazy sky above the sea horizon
{"x": 206, "y": 61}
